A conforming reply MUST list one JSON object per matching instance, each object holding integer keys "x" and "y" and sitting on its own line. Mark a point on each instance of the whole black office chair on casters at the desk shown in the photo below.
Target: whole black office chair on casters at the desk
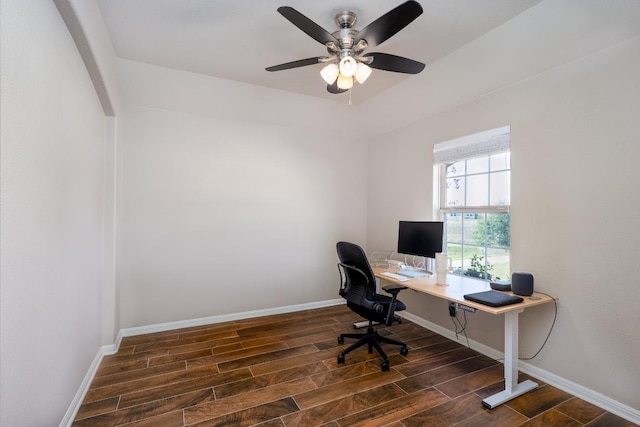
{"x": 358, "y": 287}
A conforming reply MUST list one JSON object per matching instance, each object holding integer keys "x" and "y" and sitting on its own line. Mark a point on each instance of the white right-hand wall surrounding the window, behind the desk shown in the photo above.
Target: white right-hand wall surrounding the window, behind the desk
{"x": 574, "y": 211}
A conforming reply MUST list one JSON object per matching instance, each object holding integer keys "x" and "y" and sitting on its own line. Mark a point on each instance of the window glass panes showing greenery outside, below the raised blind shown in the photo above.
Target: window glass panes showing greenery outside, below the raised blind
{"x": 475, "y": 208}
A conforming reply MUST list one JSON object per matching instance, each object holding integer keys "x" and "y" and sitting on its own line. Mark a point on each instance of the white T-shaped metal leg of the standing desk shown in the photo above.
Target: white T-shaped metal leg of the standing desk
{"x": 511, "y": 387}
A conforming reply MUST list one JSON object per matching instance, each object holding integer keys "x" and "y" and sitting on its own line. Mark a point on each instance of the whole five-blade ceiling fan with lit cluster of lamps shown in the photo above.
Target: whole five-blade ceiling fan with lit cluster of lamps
{"x": 346, "y": 60}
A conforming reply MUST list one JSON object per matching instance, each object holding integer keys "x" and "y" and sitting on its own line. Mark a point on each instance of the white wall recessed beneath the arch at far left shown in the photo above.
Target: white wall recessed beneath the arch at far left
{"x": 52, "y": 196}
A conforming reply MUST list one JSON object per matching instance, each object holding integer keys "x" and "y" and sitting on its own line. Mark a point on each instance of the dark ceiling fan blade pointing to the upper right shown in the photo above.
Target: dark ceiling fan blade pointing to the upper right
{"x": 390, "y": 23}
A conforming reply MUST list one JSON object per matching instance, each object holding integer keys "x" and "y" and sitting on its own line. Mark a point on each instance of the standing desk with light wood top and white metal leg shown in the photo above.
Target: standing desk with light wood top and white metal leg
{"x": 456, "y": 288}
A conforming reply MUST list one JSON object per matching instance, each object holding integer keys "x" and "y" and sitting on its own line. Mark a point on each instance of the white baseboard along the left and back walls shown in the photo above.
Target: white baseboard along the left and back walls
{"x": 170, "y": 326}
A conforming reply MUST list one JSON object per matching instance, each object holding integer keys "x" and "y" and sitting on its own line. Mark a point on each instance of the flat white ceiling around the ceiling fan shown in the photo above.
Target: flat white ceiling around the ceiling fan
{"x": 236, "y": 40}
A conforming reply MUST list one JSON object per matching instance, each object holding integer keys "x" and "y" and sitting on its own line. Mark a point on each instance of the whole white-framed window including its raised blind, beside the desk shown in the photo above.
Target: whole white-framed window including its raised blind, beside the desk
{"x": 473, "y": 199}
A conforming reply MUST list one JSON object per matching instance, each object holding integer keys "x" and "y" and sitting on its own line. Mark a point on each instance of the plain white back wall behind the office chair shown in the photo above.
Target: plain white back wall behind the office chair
{"x": 225, "y": 215}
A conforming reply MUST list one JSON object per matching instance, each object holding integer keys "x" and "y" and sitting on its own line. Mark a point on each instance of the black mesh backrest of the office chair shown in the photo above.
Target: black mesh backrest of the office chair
{"x": 359, "y": 284}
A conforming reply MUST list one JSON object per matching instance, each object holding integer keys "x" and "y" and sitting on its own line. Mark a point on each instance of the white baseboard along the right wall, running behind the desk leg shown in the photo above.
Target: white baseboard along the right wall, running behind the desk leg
{"x": 584, "y": 393}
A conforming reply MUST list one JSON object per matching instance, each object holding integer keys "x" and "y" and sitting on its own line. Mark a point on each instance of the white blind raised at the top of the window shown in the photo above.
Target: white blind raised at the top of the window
{"x": 480, "y": 144}
